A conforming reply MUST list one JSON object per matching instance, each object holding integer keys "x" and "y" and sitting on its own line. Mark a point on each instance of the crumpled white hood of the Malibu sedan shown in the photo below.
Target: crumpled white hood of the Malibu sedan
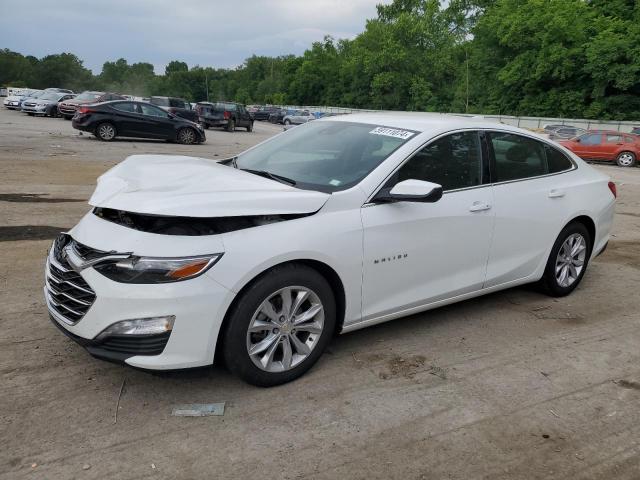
{"x": 197, "y": 187}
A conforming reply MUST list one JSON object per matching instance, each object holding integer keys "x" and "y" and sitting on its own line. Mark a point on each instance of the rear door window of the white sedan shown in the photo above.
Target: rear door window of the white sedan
{"x": 517, "y": 157}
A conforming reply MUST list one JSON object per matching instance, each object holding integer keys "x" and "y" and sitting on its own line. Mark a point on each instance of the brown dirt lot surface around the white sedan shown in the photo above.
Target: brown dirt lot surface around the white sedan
{"x": 512, "y": 385}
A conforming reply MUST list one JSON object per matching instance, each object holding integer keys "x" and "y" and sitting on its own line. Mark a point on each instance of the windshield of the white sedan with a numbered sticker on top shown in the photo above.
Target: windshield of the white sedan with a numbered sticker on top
{"x": 326, "y": 155}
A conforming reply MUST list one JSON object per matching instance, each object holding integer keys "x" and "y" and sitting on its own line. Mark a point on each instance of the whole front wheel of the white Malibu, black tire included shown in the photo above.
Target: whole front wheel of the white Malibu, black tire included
{"x": 279, "y": 327}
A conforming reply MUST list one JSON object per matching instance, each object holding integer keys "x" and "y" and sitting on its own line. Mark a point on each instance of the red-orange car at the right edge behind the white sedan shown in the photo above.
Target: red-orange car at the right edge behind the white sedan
{"x": 606, "y": 145}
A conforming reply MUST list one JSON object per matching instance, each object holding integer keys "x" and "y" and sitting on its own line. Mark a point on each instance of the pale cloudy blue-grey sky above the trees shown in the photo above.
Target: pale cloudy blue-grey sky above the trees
{"x": 216, "y": 33}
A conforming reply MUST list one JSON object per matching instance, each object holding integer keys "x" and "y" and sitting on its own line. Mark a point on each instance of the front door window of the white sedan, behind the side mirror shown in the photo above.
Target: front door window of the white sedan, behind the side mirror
{"x": 453, "y": 161}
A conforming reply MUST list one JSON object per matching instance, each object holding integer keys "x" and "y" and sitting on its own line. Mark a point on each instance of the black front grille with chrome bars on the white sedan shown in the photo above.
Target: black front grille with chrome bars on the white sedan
{"x": 68, "y": 294}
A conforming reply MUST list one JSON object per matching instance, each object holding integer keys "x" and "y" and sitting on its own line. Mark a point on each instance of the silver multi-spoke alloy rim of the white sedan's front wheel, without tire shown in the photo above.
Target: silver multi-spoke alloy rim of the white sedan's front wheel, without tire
{"x": 285, "y": 329}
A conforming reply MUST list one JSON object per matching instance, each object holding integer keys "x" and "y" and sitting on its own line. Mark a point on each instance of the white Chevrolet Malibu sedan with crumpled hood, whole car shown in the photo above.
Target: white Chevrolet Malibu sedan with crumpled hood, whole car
{"x": 333, "y": 226}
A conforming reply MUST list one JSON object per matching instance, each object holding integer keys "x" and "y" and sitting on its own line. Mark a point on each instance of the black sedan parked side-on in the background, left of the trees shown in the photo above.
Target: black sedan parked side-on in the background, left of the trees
{"x": 109, "y": 120}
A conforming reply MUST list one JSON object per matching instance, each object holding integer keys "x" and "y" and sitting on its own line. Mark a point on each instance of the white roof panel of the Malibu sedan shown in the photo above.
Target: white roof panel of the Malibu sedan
{"x": 424, "y": 122}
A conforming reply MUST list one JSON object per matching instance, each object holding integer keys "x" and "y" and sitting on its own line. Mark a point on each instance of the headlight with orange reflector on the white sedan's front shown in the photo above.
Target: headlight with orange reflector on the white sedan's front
{"x": 156, "y": 270}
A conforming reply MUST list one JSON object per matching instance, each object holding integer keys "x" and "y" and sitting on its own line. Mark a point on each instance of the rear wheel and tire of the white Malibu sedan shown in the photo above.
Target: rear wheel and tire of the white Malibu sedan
{"x": 567, "y": 261}
